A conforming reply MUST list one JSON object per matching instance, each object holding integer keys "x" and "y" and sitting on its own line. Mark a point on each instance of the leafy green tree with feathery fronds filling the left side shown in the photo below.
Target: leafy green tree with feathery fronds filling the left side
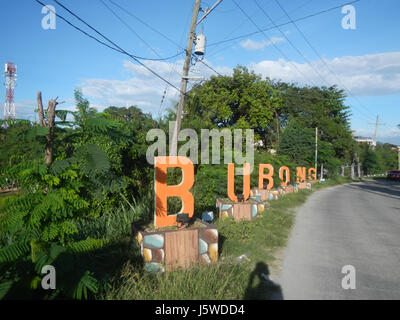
{"x": 39, "y": 226}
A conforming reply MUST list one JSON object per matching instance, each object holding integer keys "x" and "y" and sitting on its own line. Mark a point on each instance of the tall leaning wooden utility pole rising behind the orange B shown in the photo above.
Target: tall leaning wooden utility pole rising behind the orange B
{"x": 173, "y": 148}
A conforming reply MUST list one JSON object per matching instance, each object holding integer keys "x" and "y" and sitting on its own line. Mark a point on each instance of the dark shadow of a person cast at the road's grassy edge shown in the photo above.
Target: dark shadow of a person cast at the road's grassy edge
{"x": 260, "y": 287}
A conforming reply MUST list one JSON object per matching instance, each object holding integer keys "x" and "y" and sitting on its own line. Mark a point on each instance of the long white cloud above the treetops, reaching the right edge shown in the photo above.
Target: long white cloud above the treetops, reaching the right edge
{"x": 368, "y": 75}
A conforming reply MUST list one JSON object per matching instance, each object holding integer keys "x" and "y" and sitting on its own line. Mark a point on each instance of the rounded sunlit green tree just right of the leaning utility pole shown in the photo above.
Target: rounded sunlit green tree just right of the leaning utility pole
{"x": 240, "y": 101}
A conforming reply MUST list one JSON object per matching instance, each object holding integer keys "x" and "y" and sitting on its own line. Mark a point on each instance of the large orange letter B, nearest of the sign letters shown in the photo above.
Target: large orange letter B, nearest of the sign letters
{"x": 163, "y": 191}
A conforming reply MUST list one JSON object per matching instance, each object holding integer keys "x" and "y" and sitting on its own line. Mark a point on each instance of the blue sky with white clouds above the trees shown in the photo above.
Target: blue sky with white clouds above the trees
{"x": 365, "y": 60}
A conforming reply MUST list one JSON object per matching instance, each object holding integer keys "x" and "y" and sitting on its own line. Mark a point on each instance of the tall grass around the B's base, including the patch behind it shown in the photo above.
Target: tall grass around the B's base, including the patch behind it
{"x": 227, "y": 279}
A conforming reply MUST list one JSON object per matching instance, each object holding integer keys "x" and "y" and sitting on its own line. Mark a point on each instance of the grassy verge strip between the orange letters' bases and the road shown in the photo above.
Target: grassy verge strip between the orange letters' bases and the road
{"x": 259, "y": 239}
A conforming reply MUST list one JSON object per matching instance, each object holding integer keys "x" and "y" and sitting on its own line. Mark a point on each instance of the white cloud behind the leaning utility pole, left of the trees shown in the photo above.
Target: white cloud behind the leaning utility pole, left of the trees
{"x": 143, "y": 88}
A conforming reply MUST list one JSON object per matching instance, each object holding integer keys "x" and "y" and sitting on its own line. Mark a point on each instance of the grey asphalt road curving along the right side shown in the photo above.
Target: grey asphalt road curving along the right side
{"x": 356, "y": 224}
